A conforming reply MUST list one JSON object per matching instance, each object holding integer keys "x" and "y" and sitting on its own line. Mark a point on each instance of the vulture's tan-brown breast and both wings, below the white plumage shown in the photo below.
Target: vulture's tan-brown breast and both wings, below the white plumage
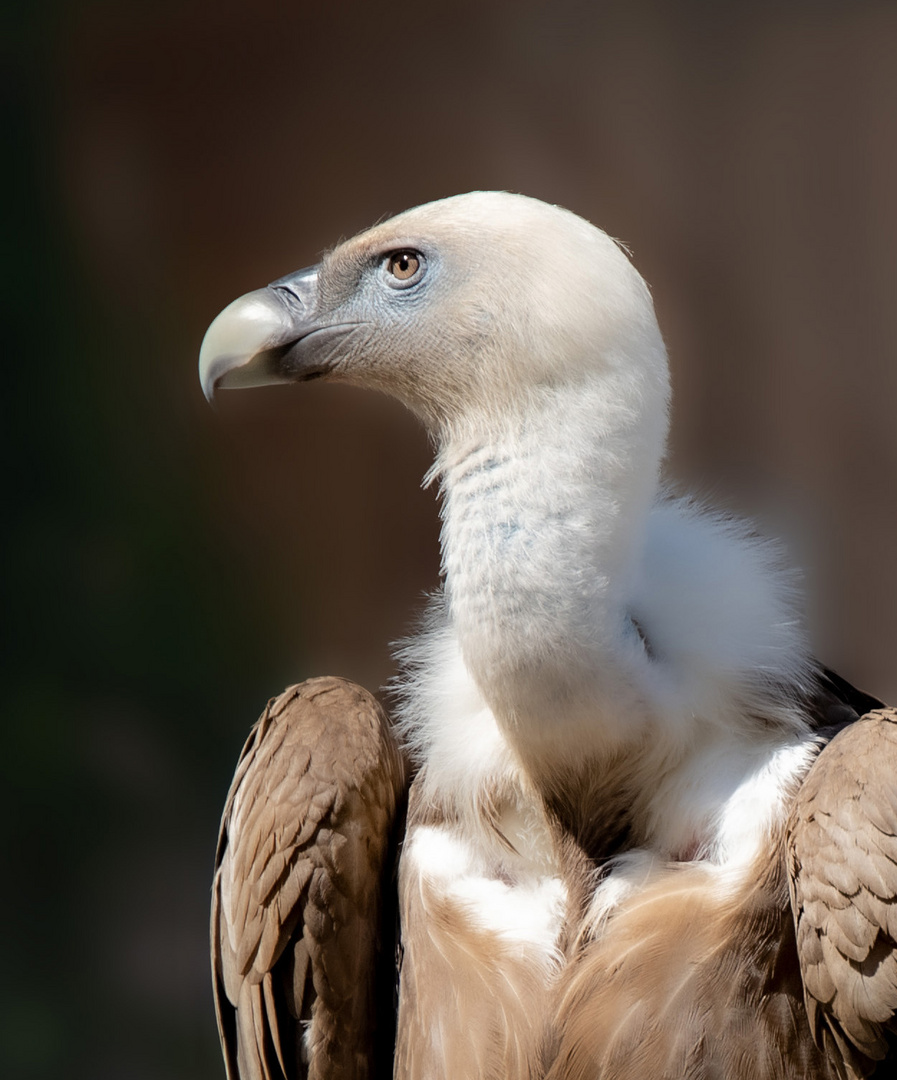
{"x": 683, "y": 980}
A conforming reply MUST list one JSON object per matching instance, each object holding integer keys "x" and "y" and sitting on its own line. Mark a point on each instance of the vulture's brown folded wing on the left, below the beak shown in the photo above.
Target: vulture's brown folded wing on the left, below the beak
{"x": 300, "y": 886}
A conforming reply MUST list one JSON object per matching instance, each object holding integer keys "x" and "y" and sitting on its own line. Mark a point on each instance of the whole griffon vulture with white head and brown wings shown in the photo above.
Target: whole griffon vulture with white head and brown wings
{"x": 648, "y": 835}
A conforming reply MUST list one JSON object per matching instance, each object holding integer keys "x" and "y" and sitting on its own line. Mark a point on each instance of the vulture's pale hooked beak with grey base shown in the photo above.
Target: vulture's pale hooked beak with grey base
{"x": 264, "y": 337}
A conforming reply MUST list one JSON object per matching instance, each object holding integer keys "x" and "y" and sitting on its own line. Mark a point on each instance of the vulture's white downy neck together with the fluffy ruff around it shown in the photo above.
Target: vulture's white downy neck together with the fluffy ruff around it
{"x": 589, "y": 619}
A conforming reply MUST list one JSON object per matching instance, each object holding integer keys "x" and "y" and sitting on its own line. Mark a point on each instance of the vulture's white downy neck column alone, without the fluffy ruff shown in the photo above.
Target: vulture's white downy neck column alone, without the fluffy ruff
{"x": 545, "y": 522}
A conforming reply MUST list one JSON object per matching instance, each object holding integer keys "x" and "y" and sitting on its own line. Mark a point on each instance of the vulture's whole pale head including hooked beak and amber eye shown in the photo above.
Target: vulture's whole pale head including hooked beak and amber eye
{"x": 464, "y": 309}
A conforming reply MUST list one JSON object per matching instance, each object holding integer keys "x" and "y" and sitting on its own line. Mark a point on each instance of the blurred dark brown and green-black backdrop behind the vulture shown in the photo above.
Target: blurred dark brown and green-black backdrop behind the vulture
{"x": 170, "y": 568}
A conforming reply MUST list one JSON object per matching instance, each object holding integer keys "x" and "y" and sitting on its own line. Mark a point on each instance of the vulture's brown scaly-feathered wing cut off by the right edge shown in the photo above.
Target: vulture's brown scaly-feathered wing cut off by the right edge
{"x": 842, "y": 853}
